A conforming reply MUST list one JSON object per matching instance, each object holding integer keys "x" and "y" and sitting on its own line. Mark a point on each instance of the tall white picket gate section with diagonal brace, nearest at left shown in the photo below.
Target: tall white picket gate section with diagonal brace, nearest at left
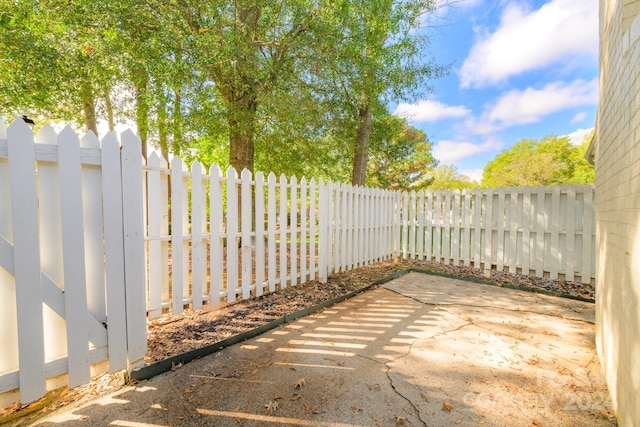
{"x": 66, "y": 230}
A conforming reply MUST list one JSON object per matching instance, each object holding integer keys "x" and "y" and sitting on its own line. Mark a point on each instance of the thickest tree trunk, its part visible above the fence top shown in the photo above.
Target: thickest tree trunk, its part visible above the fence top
{"x": 242, "y": 120}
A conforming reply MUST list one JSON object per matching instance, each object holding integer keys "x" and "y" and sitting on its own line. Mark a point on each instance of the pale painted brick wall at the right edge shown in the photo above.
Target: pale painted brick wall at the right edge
{"x": 617, "y": 159}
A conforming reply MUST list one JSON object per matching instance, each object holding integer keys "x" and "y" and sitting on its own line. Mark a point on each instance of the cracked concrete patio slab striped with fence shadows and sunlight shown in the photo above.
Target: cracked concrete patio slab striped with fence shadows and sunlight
{"x": 422, "y": 350}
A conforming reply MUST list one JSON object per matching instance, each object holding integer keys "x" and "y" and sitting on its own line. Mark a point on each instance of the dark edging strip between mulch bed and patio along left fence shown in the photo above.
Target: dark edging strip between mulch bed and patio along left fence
{"x": 162, "y": 366}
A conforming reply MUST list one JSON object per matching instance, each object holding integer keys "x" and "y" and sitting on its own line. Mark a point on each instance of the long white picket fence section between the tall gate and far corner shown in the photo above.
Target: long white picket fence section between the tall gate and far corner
{"x": 233, "y": 238}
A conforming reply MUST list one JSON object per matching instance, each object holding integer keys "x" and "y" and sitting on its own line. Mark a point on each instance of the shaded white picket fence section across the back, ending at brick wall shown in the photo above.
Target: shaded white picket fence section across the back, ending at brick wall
{"x": 542, "y": 231}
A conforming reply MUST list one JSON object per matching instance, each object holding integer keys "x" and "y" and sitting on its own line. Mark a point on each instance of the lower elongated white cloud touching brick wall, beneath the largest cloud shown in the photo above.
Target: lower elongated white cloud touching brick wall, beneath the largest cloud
{"x": 530, "y": 105}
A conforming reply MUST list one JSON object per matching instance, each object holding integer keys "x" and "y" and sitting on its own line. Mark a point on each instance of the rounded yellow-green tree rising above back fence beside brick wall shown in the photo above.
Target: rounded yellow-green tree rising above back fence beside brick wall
{"x": 551, "y": 161}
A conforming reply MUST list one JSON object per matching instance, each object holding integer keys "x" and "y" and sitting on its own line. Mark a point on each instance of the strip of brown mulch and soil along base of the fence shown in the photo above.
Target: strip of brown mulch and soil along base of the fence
{"x": 171, "y": 335}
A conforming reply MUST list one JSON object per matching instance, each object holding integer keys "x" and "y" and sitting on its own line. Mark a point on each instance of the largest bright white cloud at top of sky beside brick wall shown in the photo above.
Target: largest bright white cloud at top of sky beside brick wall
{"x": 527, "y": 40}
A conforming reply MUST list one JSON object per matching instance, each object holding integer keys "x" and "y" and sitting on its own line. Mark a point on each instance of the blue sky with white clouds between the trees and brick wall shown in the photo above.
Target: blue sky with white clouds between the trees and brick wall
{"x": 520, "y": 69}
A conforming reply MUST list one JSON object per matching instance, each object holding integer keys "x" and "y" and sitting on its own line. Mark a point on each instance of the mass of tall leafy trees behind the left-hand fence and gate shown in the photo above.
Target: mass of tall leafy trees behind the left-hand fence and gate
{"x": 293, "y": 86}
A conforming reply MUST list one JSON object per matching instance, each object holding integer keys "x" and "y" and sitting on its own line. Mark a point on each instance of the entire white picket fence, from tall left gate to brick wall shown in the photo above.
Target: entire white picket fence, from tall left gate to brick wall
{"x": 93, "y": 242}
